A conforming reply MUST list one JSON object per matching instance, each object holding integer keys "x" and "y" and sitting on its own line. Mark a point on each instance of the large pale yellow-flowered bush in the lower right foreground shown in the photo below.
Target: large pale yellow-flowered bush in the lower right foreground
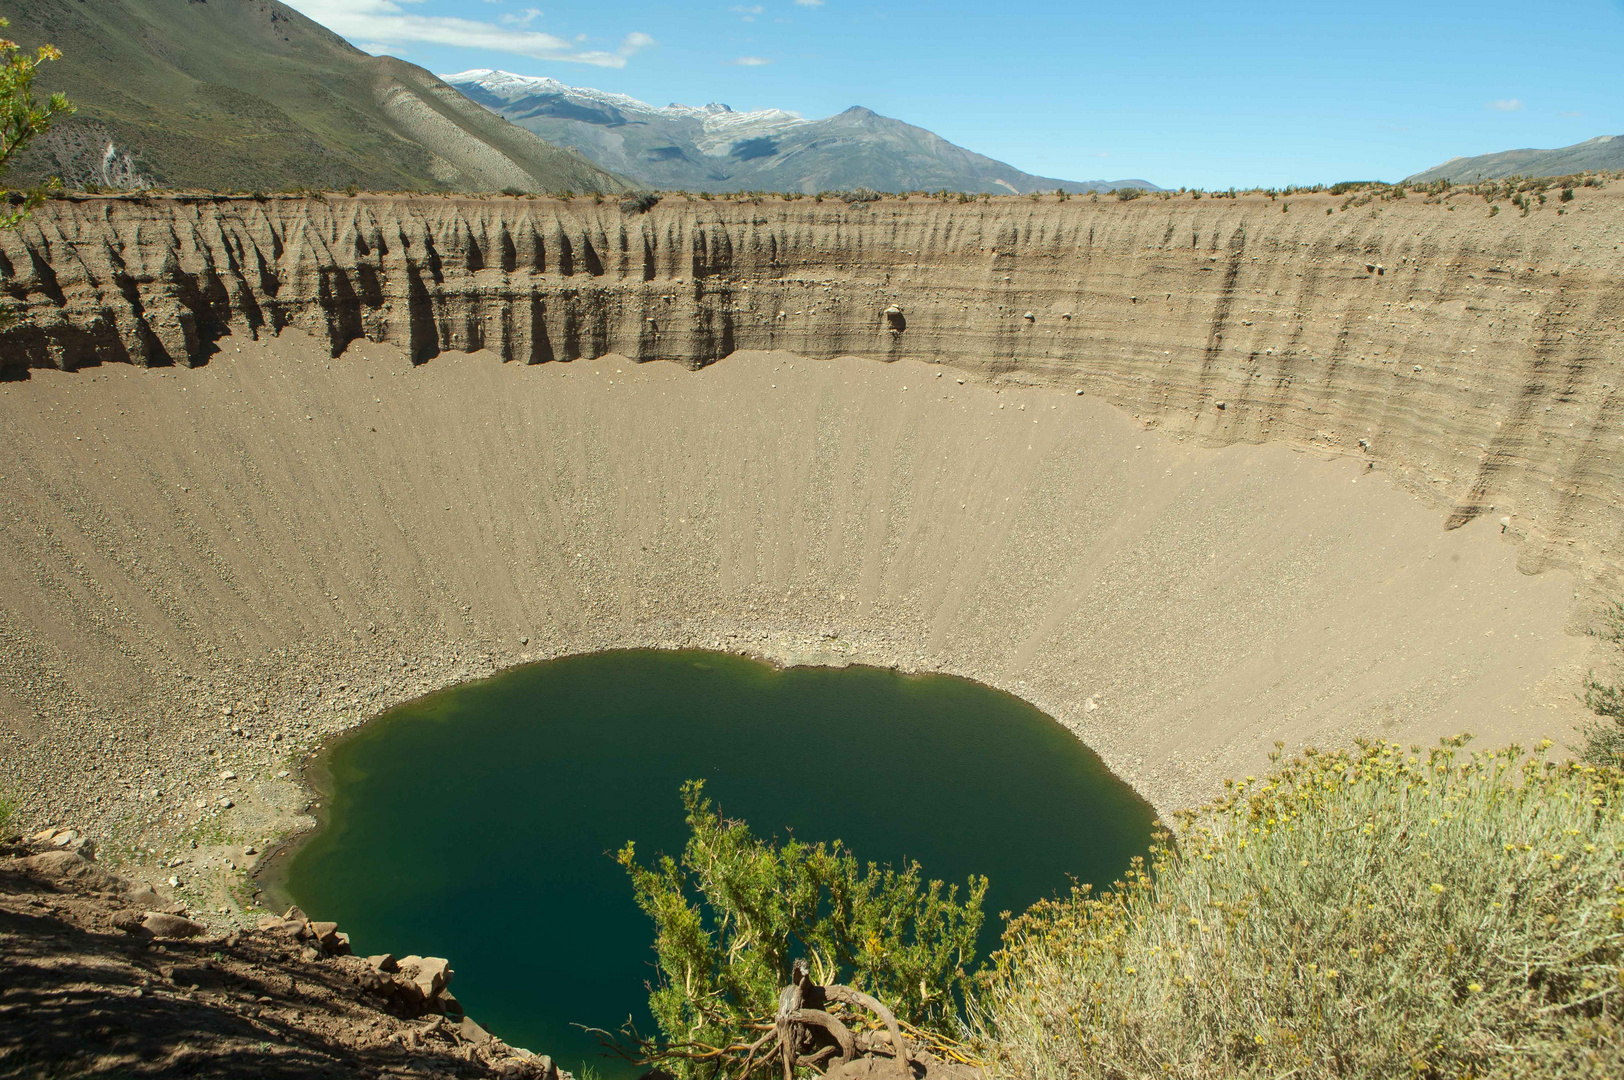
{"x": 1354, "y": 915}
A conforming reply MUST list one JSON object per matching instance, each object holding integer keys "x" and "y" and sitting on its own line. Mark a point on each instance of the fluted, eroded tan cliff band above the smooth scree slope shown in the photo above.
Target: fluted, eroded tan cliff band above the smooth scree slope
{"x": 1477, "y": 356}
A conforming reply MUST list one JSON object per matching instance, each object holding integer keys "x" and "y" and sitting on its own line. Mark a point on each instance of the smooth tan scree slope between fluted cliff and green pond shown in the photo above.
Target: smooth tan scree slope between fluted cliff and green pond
{"x": 308, "y": 540}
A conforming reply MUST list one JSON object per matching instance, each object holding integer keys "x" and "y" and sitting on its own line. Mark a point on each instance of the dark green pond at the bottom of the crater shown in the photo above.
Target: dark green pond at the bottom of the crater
{"x": 478, "y": 824}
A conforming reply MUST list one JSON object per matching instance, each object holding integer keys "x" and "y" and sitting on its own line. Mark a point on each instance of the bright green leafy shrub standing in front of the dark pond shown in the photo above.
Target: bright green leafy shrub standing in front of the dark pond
{"x": 730, "y": 915}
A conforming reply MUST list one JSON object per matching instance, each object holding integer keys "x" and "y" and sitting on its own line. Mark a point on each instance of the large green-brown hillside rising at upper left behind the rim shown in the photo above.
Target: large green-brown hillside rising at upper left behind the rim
{"x": 251, "y": 95}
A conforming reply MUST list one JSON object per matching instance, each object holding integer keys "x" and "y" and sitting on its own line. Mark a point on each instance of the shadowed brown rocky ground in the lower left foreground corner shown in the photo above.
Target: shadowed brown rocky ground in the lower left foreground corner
{"x": 98, "y": 983}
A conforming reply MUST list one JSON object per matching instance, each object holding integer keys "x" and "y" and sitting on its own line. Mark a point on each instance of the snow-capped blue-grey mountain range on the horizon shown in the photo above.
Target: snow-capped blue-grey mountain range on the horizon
{"x": 714, "y": 149}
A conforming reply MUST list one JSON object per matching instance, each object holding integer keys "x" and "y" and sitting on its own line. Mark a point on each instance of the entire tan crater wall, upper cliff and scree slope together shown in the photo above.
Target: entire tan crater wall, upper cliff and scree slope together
{"x": 209, "y": 569}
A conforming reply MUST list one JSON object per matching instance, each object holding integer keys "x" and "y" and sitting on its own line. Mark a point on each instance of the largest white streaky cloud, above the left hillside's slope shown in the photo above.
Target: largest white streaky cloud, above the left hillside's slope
{"x": 389, "y": 22}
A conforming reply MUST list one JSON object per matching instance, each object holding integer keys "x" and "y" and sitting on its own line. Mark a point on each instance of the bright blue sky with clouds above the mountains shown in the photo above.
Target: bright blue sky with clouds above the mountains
{"x": 1180, "y": 93}
